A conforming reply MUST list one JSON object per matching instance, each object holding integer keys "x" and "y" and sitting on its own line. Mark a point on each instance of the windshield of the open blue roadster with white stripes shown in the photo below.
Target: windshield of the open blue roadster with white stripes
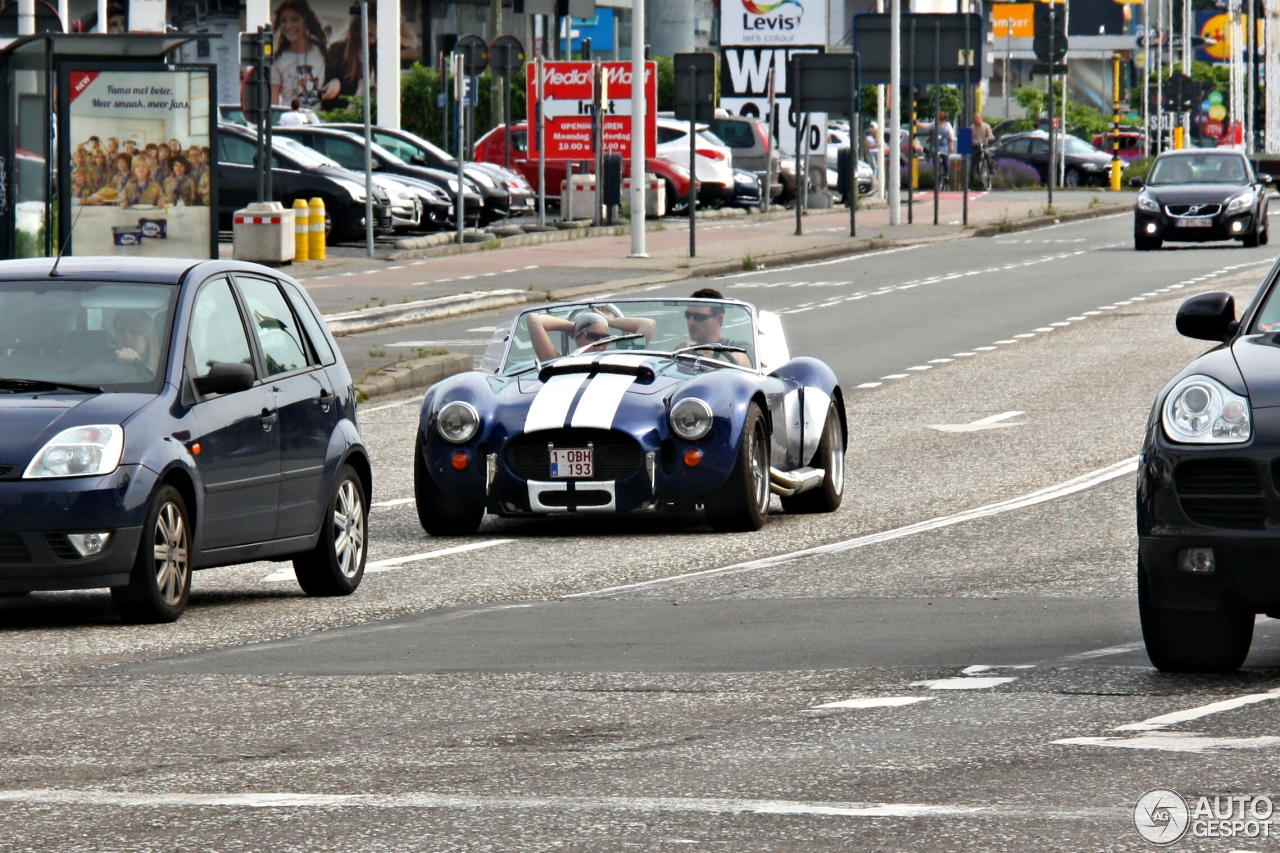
{"x": 662, "y": 326}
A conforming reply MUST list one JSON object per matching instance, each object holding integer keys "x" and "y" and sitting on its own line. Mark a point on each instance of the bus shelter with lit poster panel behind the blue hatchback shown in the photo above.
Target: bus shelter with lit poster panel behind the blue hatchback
{"x": 109, "y": 148}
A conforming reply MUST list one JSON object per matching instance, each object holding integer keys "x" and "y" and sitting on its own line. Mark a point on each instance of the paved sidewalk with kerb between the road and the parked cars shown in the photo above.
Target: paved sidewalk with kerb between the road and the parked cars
{"x": 406, "y": 286}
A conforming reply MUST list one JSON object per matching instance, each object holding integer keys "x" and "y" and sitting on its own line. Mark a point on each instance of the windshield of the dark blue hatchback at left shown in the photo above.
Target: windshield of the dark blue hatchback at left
{"x": 106, "y": 335}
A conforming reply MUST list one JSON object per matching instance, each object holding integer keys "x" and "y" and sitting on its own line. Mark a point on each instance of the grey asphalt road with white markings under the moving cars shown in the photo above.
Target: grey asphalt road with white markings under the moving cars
{"x": 952, "y": 662}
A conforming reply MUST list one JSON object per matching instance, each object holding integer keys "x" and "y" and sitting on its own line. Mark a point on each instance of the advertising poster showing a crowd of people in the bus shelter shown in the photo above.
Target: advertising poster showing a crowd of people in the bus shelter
{"x": 140, "y": 163}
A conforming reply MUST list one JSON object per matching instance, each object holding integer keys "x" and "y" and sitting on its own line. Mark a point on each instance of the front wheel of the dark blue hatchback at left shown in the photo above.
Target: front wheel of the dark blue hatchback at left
{"x": 161, "y": 581}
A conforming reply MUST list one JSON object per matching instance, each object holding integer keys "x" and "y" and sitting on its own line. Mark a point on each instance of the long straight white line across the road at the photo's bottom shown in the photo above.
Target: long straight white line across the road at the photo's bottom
{"x": 420, "y": 800}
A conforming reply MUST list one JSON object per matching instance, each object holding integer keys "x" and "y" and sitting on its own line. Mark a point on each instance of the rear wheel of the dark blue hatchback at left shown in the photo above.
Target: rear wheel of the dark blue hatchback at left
{"x": 337, "y": 564}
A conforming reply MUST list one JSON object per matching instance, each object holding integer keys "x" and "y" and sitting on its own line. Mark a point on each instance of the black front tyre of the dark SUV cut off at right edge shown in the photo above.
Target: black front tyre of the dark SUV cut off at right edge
{"x": 1191, "y": 641}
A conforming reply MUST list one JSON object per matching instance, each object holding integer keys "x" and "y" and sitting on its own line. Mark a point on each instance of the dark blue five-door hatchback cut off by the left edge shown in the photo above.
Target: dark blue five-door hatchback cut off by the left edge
{"x": 164, "y": 416}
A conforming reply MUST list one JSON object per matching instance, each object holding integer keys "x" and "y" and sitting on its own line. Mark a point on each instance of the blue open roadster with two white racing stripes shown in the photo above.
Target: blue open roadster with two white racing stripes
{"x": 637, "y": 404}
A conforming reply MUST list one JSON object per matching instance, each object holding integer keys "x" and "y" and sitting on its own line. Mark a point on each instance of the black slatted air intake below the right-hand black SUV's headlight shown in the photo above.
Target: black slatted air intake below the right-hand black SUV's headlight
{"x": 1222, "y": 494}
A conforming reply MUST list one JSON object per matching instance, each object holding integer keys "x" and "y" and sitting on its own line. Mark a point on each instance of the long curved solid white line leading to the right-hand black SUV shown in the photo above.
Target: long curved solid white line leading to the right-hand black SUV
{"x": 1032, "y": 499}
